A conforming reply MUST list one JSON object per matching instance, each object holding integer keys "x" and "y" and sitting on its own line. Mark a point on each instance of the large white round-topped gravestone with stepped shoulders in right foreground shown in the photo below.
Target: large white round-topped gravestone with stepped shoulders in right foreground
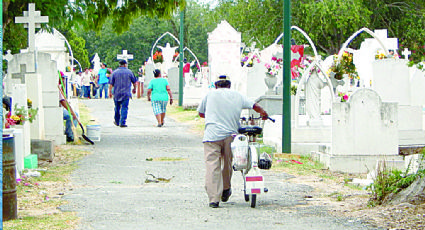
{"x": 364, "y": 130}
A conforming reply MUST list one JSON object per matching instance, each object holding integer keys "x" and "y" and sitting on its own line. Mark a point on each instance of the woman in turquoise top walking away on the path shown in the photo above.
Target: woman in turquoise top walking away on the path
{"x": 159, "y": 92}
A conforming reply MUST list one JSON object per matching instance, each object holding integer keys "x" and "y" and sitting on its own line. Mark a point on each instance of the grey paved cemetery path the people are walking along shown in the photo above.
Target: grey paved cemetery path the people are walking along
{"x": 110, "y": 189}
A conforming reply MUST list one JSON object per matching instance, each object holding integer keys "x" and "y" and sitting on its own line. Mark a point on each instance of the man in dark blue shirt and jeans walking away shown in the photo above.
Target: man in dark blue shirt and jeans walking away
{"x": 121, "y": 80}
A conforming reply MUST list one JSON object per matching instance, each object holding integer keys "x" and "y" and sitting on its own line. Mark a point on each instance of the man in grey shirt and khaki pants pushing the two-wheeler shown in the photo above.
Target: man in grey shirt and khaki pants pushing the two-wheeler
{"x": 222, "y": 109}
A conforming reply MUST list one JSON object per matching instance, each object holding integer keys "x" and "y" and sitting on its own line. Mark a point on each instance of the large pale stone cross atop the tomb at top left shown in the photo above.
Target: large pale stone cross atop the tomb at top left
{"x": 32, "y": 20}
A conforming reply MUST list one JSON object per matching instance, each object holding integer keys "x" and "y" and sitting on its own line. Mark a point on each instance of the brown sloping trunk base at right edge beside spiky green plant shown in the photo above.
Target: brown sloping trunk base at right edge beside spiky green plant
{"x": 414, "y": 194}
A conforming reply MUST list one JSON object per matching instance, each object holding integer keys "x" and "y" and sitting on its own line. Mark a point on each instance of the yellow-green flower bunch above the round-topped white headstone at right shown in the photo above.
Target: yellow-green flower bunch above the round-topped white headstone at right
{"x": 342, "y": 66}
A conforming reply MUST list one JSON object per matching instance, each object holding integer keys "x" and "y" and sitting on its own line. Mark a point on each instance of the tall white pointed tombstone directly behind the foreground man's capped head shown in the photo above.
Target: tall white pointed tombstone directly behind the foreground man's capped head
{"x": 224, "y": 57}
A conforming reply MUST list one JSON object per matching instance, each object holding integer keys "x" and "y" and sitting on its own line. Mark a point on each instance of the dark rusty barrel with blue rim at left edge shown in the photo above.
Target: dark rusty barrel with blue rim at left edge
{"x": 10, "y": 205}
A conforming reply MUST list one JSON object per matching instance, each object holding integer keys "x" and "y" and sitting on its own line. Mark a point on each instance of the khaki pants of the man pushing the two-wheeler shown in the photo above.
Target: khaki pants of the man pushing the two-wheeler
{"x": 218, "y": 162}
